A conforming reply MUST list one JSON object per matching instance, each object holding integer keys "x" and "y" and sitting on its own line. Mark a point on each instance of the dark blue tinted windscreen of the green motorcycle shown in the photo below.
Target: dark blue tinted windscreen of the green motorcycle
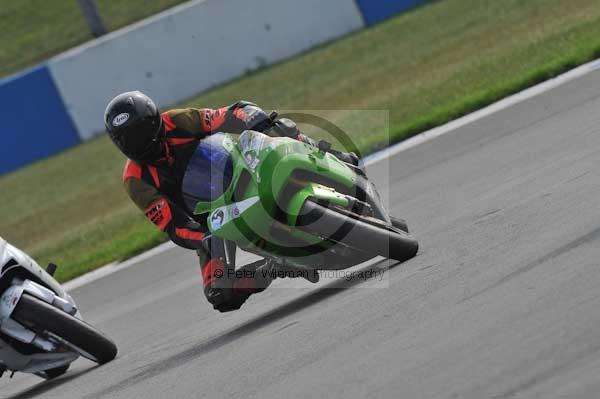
{"x": 209, "y": 172}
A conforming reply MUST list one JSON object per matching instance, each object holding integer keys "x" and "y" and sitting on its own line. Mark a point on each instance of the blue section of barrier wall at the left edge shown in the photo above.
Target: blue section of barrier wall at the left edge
{"x": 35, "y": 123}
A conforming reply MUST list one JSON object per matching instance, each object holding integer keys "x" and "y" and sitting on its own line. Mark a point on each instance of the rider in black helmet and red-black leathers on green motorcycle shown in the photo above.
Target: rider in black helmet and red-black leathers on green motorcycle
{"x": 158, "y": 147}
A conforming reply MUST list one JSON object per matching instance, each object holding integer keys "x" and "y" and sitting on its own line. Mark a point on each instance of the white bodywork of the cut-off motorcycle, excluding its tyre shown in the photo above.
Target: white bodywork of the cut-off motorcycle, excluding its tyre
{"x": 44, "y": 288}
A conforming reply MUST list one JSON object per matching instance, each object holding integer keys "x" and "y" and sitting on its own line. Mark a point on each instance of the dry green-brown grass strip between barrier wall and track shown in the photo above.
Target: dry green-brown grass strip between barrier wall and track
{"x": 426, "y": 67}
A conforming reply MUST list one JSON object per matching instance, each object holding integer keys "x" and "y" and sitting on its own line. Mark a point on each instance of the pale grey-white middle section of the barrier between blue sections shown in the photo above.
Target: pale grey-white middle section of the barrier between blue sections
{"x": 176, "y": 54}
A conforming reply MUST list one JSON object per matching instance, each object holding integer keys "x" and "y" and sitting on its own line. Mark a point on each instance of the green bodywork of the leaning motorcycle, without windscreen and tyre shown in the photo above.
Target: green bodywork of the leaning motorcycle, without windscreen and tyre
{"x": 262, "y": 217}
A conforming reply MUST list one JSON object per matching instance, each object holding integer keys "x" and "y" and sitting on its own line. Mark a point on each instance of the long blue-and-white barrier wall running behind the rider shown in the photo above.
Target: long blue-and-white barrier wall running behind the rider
{"x": 45, "y": 110}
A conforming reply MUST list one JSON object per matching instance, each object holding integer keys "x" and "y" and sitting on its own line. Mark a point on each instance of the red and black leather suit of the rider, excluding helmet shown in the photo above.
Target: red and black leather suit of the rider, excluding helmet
{"x": 156, "y": 190}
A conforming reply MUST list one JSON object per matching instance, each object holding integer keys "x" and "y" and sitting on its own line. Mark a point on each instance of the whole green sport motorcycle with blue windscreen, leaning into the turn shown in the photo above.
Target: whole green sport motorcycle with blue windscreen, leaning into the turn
{"x": 291, "y": 202}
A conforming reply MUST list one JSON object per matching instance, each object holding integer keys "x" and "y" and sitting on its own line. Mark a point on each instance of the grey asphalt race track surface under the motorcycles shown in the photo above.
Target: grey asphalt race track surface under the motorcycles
{"x": 503, "y": 300}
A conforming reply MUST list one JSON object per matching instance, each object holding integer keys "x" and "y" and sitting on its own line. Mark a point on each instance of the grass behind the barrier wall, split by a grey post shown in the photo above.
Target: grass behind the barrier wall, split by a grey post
{"x": 33, "y": 30}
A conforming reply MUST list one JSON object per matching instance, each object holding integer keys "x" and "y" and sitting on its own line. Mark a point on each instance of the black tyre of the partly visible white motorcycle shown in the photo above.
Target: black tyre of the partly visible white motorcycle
{"x": 40, "y": 317}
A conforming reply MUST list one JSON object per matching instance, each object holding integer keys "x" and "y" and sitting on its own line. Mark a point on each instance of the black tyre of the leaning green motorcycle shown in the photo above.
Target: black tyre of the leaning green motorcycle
{"x": 373, "y": 236}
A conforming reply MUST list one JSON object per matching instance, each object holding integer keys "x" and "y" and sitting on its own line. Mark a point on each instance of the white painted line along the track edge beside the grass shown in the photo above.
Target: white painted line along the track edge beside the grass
{"x": 376, "y": 157}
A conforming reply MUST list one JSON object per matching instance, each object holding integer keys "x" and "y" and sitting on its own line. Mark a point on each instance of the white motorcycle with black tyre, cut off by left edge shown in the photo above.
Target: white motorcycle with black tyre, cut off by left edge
{"x": 41, "y": 330}
